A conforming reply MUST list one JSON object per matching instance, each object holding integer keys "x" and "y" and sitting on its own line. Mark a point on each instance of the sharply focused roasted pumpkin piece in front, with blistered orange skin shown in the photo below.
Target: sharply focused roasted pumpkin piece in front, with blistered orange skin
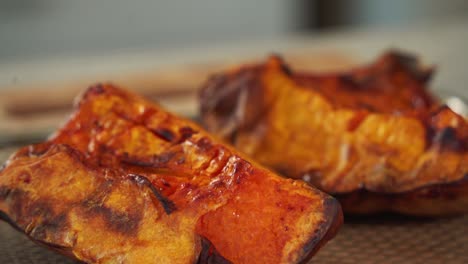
{"x": 126, "y": 182}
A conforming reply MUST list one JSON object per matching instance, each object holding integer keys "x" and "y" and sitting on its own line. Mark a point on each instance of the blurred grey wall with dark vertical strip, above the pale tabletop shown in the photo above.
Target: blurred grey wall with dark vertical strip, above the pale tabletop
{"x": 31, "y": 29}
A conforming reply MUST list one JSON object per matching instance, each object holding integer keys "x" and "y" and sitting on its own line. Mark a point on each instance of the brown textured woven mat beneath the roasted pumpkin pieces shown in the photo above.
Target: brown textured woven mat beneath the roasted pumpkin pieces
{"x": 378, "y": 239}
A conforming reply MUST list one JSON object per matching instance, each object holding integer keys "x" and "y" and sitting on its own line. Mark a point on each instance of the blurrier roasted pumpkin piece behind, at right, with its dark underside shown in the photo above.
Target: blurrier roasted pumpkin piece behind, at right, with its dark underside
{"x": 373, "y": 137}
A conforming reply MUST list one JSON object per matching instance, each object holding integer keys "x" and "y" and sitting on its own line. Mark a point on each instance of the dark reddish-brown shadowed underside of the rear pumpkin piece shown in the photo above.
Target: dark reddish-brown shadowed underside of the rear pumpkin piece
{"x": 383, "y": 202}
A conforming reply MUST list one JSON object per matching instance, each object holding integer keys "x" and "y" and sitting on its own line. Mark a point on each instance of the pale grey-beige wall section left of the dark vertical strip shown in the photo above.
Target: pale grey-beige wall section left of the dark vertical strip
{"x": 41, "y": 28}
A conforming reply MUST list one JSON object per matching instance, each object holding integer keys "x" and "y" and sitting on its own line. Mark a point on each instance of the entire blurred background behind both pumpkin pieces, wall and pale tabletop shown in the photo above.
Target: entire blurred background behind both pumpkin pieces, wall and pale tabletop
{"x": 52, "y": 49}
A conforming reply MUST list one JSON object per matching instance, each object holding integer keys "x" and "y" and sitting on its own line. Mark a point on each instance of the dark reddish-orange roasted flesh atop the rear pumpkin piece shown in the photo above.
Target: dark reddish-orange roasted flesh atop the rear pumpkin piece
{"x": 373, "y": 87}
